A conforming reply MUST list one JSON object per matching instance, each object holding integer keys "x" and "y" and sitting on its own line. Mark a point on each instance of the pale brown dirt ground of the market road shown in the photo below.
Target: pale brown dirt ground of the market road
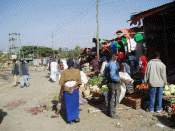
{"x": 42, "y": 92}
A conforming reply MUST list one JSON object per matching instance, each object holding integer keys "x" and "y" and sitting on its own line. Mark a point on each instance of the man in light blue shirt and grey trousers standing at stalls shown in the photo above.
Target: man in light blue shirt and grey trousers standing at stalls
{"x": 111, "y": 72}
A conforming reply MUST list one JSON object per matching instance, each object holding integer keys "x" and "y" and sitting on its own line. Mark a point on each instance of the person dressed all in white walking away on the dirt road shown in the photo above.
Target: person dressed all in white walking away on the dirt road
{"x": 54, "y": 67}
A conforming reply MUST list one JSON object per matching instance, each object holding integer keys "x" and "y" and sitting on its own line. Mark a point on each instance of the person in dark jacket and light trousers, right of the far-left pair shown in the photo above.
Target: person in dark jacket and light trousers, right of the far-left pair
{"x": 24, "y": 71}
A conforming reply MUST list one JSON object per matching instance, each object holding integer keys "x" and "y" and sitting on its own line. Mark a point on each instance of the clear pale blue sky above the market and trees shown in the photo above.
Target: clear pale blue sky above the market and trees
{"x": 66, "y": 23}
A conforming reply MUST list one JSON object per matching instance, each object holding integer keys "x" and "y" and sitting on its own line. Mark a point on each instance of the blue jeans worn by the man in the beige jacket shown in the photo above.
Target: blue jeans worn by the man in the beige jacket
{"x": 156, "y": 94}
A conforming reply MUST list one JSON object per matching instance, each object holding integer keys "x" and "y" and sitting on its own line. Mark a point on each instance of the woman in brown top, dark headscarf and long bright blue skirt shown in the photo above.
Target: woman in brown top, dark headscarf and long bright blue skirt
{"x": 70, "y": 81}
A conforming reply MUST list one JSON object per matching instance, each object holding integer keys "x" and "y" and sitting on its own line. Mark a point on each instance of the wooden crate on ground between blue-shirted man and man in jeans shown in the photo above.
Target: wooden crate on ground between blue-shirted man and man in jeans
{"x": 135, "y": 104}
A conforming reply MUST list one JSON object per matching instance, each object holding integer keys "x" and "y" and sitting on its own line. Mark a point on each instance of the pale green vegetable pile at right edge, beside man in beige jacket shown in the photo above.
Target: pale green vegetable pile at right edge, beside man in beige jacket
{"x": 169, "y": 90}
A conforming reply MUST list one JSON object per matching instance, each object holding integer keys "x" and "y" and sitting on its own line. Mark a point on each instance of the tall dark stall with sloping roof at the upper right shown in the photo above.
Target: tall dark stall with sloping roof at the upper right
{"x": 159, "y": 32}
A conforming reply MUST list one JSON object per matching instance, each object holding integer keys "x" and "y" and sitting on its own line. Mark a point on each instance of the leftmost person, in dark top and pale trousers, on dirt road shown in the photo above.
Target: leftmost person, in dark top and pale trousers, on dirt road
{"x": 15, "y": 72}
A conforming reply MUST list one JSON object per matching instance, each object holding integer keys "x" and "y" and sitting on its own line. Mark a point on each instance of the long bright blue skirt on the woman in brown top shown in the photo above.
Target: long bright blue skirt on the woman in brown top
{"x": 72, "y": 105}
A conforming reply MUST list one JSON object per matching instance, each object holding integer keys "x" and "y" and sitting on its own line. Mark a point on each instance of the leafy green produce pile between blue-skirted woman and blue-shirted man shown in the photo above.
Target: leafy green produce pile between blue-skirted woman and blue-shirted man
{"x": 98, "y": 84}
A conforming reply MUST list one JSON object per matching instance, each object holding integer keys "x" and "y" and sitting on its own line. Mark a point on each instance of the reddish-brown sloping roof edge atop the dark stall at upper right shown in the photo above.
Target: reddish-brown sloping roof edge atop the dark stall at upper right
{"x": 136, "y": 18}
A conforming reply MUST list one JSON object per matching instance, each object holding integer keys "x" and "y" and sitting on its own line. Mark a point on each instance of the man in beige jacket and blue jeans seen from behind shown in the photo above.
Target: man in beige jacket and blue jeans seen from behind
{"x": 155, "y": 76}
